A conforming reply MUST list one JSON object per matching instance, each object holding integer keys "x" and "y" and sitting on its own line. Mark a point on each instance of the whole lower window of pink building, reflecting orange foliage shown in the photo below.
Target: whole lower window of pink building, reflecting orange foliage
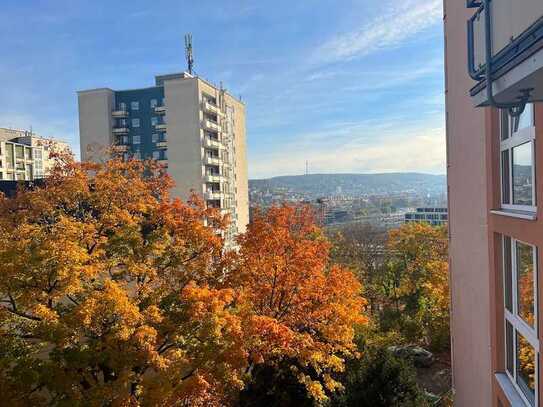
{"x": 520, "y": 303}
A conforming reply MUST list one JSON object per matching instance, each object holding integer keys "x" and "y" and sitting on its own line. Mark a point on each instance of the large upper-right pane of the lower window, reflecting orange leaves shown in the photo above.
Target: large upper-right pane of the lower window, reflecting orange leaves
{"x": 525, "y": 283}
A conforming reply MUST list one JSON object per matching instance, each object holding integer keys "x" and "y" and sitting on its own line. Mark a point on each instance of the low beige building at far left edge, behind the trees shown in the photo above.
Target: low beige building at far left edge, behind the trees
{"x": 25, "y": 156}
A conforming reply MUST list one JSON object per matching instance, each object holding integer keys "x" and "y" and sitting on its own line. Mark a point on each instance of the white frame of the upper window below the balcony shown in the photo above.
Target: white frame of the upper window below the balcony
{"x": 516, "y": 139}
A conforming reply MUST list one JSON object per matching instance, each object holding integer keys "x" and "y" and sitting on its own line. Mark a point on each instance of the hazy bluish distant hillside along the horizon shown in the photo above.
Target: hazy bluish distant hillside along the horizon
{"x": 316, "y": 185}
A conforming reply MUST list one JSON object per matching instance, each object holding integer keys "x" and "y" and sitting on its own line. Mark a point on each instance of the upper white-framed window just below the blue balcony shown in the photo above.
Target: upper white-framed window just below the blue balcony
{"x": 517, "y": 161}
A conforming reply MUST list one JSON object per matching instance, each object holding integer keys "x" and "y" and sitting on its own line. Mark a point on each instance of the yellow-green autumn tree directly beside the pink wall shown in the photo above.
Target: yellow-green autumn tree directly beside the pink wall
{"x": 416, "y": 283}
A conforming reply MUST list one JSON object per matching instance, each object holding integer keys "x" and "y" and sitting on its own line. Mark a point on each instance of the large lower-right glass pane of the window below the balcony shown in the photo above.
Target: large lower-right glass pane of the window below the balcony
{"x": 522, "y": 175}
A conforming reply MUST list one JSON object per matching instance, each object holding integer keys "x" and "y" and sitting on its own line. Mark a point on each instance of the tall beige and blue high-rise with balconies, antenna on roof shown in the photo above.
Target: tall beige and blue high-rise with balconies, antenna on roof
{"x": 196, "y": 129}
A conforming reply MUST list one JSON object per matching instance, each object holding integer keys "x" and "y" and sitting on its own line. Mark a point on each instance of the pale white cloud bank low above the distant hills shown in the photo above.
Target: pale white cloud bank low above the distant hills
{"x": 360, "y": 148}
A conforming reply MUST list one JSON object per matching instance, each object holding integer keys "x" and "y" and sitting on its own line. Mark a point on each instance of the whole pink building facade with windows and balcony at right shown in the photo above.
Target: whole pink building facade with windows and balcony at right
{"x": 494, "y": 81}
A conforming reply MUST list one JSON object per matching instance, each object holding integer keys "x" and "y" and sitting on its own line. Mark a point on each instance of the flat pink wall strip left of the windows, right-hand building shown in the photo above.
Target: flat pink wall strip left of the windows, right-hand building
{"x": 468, "y": 214}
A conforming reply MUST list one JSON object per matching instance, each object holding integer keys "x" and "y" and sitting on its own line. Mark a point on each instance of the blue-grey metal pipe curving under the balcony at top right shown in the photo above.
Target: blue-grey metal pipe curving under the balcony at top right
{"x": 515, "y": 109}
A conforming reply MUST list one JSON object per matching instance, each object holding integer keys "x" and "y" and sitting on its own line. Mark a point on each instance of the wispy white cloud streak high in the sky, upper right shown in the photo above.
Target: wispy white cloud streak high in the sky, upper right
{"x": 399, "y": 23}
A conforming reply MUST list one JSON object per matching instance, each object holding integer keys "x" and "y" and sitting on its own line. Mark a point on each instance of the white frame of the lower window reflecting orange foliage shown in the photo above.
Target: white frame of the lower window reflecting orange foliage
{"x": 519, "y": 325}
